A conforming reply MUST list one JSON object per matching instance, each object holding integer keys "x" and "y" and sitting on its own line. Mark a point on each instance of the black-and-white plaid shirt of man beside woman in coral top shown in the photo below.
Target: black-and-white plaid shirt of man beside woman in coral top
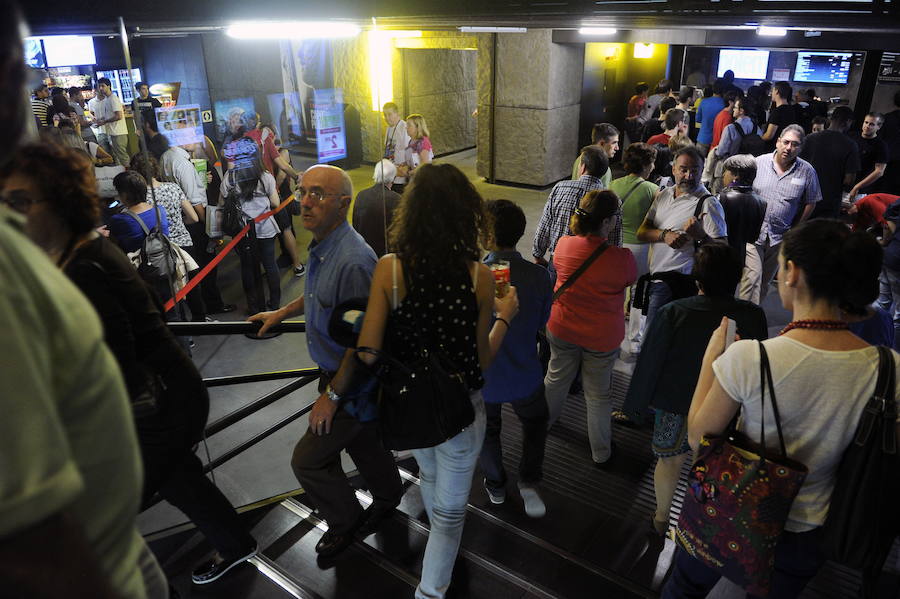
{"x": 558, "y": 211}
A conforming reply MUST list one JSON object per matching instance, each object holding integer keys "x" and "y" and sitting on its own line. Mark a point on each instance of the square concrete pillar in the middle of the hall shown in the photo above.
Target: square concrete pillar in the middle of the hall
{"x": 538, "y": 100}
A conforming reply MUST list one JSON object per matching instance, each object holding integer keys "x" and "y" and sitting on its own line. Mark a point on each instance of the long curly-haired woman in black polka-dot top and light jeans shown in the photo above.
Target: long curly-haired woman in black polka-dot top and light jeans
{"x": 436, "y": 286}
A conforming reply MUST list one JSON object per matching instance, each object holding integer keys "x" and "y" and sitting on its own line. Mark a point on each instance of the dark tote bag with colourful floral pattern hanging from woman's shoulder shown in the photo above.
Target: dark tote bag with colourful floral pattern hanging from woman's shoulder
{"x": 738, "y": 499}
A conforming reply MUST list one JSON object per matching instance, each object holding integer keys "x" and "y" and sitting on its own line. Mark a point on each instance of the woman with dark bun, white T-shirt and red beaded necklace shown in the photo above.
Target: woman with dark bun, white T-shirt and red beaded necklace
{"x": 823, "y": 376}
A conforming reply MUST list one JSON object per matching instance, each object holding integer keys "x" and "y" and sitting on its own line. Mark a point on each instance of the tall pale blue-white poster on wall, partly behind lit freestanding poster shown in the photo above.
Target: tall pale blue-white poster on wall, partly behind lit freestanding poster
{"x": 306, "y": 65}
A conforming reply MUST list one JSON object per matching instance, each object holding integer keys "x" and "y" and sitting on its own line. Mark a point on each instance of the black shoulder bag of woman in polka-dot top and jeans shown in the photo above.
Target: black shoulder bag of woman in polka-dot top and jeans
{"x": 424, "y": 401}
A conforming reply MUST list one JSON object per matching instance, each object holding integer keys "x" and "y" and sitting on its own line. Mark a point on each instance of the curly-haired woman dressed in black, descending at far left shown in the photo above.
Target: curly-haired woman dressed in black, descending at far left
{"x": 56, "y": 191}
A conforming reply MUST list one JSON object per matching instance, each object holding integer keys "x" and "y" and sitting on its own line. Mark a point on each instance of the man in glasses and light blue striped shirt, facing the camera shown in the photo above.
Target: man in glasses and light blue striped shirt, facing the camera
{"x": 790, "y": 188}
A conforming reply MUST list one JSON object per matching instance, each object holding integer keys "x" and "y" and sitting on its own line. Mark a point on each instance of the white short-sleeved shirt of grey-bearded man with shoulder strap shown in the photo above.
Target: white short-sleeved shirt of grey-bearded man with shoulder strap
{"x": 669, "y": 212}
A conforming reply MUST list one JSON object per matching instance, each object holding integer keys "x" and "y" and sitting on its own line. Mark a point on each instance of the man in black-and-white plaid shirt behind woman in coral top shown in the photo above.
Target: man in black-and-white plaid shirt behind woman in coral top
{"x": 563, "y": 200}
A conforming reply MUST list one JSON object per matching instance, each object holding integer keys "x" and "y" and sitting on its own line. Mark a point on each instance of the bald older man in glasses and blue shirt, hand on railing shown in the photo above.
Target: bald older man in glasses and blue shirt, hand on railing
{"x": 340, "y": 269}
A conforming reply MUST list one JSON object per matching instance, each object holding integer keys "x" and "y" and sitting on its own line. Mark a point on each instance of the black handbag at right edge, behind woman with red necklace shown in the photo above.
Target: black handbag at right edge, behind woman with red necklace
{"x": 863, "y": 518}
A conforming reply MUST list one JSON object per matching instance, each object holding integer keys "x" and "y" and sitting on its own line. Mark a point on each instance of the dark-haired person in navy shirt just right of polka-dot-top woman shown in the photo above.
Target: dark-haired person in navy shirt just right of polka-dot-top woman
{"x": 516, "y": 375}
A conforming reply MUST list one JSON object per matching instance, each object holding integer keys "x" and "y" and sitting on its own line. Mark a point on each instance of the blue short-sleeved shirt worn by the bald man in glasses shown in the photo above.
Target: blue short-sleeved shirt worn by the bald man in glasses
{"x": 340, "y": 268}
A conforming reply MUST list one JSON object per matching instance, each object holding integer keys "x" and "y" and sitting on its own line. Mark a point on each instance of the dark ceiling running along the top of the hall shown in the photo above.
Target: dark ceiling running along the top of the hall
{"x": 98, "y": 16}
